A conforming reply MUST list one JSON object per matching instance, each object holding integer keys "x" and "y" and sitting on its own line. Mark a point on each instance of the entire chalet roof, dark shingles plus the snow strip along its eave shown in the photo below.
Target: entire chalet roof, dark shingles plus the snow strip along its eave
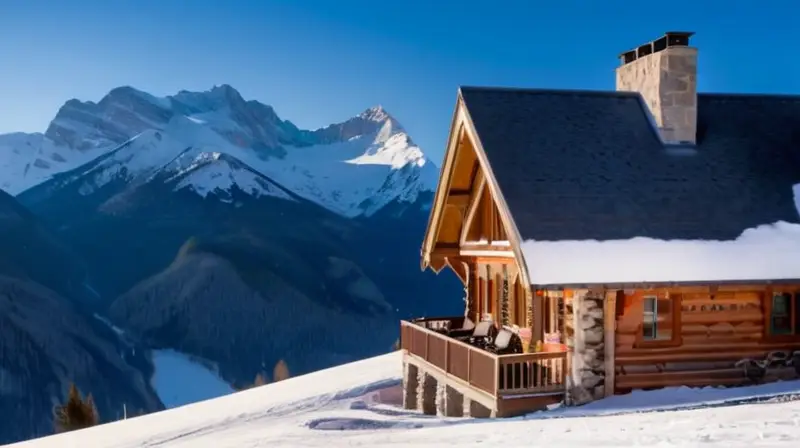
{"x": 596, "y": 197}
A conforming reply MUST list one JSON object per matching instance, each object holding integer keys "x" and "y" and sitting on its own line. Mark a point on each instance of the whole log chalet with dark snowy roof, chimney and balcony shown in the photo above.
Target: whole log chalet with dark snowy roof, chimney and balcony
{"x": 608, "y": 241}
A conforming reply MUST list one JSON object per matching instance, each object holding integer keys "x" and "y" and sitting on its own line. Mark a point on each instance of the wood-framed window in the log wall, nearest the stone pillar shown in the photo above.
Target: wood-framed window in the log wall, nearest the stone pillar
{"x": 660, "y": 320}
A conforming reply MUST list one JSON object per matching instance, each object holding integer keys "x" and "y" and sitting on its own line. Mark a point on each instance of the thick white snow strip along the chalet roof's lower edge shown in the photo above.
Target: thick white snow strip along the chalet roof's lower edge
{"x": 764, "y": 253}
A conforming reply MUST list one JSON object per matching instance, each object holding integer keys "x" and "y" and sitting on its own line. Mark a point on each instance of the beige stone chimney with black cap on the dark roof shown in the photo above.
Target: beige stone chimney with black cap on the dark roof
{"x": 664, "y": 72}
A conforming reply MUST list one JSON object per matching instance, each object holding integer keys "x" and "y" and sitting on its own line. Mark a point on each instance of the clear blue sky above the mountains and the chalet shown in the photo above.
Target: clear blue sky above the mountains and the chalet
{"x": 321, "y": 61}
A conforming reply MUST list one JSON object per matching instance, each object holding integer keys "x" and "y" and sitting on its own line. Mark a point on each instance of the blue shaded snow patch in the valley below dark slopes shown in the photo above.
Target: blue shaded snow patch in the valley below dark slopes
{"x": 179, "y": 380}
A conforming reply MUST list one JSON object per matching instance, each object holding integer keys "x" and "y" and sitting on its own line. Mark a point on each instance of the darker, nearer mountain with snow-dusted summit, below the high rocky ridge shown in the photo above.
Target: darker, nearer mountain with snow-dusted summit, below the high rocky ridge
{"x": 260, "y": 274}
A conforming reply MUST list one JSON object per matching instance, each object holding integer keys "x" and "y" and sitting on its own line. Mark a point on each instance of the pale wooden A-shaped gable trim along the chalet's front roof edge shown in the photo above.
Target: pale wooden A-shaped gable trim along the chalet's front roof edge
{"x": 462, "y": 125}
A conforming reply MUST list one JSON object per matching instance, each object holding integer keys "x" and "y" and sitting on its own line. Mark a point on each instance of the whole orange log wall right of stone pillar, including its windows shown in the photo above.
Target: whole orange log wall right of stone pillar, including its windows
{"x": 693, "y": 336}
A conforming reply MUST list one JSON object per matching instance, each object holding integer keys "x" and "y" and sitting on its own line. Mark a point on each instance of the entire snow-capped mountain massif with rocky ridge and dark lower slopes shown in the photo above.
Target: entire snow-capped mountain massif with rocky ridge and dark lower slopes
{"x": 213, "y": 227}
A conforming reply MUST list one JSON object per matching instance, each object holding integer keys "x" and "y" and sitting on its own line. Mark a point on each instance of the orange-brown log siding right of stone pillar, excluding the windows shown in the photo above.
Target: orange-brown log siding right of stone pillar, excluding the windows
{"x": 717, "y": 327}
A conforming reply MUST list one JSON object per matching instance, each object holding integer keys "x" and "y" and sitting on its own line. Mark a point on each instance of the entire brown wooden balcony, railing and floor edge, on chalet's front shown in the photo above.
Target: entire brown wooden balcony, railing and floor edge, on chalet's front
{"x": 507, "y": 385}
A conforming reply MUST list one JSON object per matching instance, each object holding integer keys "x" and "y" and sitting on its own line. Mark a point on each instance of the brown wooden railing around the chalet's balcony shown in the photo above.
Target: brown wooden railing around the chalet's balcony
{"x": 501, "y": 376}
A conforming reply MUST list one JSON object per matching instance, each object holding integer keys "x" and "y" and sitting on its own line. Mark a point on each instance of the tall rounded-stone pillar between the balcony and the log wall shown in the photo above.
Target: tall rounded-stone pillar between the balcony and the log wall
{"x": 586, "y": 381}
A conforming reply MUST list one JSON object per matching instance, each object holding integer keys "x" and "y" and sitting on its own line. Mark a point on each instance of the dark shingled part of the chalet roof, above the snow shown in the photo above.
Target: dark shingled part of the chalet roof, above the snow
{"x": 576, "y": 165}
